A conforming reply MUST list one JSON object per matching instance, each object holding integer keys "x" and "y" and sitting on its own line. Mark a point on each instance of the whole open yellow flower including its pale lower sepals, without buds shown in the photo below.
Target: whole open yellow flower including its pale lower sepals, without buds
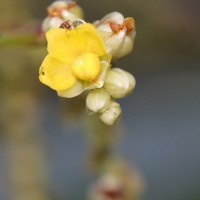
{"x": 77, "y": 60}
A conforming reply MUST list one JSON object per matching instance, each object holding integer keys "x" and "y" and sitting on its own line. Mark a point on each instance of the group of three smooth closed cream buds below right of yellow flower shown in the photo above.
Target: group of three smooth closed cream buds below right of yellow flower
{"x": 117, "y": 84}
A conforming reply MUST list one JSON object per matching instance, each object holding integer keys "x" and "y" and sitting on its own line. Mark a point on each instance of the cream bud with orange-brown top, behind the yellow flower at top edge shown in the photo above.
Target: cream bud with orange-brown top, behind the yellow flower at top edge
{"x": 60, "y": 11}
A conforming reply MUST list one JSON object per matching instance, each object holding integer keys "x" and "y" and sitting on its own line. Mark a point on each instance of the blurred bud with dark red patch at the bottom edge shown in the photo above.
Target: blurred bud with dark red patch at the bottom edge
{"x": 118, "y": 182}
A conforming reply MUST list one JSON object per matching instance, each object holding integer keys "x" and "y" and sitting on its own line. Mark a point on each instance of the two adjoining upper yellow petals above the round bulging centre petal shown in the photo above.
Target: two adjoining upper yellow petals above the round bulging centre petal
{"x": 66, "y": 45}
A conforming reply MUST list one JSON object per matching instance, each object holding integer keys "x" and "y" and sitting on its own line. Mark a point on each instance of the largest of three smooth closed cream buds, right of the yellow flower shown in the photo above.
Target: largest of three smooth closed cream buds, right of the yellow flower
{"x": 119, "y": 83}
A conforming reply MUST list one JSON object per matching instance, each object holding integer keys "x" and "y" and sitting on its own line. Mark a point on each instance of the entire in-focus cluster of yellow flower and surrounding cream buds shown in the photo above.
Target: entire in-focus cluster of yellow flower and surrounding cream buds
{"x": 80, "y": 56}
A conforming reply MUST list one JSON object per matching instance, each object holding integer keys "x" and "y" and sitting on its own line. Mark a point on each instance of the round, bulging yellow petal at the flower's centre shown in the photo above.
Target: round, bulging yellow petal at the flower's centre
{"x": 86, "y": 67}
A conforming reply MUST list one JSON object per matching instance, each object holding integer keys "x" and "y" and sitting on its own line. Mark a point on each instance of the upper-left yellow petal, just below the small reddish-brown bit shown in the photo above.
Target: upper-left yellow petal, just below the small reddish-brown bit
{"x": 65, "y": 45}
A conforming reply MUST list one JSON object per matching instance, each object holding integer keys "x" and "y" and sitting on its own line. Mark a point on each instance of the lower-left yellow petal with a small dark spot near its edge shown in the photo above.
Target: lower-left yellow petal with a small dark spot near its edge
{"x": 56, "y": 74}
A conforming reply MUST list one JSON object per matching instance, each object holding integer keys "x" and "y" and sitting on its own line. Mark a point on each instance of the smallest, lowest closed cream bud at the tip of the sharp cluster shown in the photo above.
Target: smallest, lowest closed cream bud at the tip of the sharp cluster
{"x": 111, "y": 115}
